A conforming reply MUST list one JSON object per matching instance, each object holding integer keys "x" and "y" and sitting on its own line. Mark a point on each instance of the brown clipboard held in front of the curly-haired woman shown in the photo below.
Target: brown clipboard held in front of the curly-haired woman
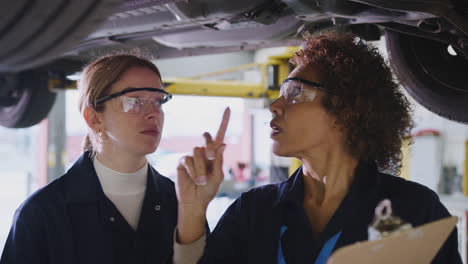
{"x": 413, "y": 246}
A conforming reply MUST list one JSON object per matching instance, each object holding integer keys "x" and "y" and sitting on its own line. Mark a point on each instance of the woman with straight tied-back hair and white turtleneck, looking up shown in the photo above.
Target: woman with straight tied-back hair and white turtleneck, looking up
{"x": 111, "y": 206}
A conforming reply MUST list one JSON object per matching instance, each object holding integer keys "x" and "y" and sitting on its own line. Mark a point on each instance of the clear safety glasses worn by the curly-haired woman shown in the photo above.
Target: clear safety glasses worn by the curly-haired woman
{"x": 293, "y": 91}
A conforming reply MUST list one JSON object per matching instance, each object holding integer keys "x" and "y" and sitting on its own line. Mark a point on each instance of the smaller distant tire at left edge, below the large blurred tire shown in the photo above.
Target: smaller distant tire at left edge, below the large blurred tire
{"x": 34, "y": 104}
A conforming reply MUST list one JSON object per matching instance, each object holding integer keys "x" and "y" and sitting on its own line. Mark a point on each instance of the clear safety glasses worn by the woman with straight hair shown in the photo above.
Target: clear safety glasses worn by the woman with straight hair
{"x": 127, "y": 101}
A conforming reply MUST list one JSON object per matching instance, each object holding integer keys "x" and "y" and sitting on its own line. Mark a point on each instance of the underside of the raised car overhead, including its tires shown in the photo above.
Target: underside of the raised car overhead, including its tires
{"x": 427, "y": 41}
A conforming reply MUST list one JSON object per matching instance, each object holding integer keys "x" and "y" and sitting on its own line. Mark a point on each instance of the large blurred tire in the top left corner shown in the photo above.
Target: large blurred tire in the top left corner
{"x": 34, "y": 32}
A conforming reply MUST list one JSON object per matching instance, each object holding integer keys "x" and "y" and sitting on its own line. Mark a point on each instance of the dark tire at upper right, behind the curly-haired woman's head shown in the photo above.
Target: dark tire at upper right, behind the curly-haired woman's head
{"x": 433, "y": 77}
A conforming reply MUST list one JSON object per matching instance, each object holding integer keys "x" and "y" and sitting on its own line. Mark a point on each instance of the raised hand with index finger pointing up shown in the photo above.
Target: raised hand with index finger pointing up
{"x": 198, "y": 179}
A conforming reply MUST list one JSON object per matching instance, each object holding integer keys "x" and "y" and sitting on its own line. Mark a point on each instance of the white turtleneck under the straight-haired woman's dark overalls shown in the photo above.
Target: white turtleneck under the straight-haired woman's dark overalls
{"x": 125, "y": 190}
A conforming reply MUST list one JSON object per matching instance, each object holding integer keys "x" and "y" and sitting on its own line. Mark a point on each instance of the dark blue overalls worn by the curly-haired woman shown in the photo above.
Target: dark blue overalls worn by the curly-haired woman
{"x": 269, "y": 225}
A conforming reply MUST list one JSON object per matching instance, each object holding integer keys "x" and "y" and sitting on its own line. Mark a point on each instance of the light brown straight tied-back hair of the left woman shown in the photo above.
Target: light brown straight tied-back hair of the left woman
{"x": 96, "y": 81}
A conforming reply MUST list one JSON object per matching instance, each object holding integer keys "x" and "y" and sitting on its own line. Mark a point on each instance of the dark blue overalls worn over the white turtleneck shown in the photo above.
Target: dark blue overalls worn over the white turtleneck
{"x": 72, "y": 221}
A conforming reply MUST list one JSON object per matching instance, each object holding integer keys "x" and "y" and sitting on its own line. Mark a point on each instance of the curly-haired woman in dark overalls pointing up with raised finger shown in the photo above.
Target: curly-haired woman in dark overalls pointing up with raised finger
{"x": 343, "y": 115}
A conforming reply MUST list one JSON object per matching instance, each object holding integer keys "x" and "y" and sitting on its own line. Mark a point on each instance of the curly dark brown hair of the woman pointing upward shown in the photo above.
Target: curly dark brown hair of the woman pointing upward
{"x": 365, "y": 98}
